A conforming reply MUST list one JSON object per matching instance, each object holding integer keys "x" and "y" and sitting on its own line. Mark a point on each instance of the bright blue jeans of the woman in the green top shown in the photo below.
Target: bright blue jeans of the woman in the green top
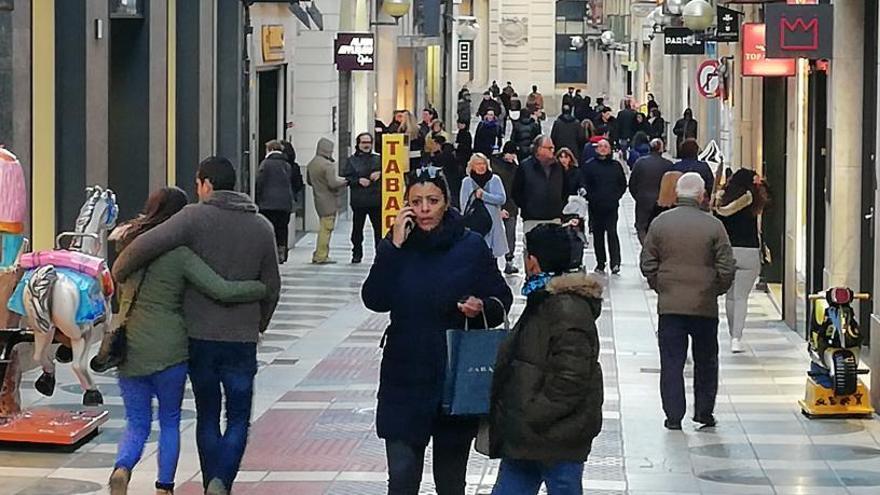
{"x": 137, "y": 394}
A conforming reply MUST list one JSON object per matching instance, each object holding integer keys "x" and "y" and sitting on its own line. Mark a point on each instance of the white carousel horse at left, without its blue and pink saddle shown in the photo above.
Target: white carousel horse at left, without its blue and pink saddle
{"x": 51, "y": 298}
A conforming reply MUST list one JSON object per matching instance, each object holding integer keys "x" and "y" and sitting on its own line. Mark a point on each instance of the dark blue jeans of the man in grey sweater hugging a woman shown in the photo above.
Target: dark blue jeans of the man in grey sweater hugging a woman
{"x": 233, "y": 366}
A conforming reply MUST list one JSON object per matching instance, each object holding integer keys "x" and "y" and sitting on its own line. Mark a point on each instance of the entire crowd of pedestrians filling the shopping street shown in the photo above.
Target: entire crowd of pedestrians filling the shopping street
{"x": 206, "y": 277}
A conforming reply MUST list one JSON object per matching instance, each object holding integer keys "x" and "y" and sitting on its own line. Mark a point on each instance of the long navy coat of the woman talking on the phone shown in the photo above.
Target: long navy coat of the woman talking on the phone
{"x": 420, "y": 284}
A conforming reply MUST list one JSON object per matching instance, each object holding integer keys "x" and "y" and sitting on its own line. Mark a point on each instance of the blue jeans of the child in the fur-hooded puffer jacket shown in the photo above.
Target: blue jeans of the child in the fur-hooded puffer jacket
{"x": 525, "y": 478}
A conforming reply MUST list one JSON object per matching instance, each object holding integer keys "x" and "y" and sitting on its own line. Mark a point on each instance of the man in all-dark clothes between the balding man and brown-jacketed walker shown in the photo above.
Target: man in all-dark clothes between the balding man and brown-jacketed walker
{"x": 605, "y": 183}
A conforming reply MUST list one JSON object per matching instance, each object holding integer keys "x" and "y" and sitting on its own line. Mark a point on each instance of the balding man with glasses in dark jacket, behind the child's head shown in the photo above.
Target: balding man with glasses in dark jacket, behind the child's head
{"x": 539, "y": 186}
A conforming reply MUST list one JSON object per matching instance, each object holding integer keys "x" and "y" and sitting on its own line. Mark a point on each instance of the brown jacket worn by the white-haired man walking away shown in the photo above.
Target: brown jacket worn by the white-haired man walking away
{"x": 688, "y": 261}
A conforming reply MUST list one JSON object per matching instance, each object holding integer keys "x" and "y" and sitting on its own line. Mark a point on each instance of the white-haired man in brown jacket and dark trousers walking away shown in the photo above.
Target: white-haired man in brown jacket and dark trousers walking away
{"x": 688, "y": 261}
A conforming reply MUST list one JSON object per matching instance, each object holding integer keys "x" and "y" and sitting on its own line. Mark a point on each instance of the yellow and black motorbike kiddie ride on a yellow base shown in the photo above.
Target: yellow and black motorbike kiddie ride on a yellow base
{"x": 833, "y": 385}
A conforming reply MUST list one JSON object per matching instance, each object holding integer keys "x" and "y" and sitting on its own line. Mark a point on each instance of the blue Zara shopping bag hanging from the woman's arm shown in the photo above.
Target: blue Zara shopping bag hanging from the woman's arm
{"x": 470, "y": 366}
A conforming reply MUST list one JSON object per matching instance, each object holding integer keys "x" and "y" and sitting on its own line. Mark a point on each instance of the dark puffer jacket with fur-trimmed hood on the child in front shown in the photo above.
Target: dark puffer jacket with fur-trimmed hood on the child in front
{"x": 547, "y": 389}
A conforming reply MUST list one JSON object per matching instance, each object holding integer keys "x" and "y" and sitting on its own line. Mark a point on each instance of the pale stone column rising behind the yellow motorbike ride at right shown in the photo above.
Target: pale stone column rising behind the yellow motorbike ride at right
{"x": 846, "y": 86}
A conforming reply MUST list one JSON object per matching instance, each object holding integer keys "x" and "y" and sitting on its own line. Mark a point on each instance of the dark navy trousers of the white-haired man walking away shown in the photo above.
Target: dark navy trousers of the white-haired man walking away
{"x": 673, "y": 340}
